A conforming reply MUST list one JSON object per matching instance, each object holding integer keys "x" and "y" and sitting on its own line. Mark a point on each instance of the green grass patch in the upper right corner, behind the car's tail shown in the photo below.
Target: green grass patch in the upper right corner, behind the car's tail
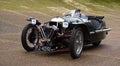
{"x": 101, "y": 5}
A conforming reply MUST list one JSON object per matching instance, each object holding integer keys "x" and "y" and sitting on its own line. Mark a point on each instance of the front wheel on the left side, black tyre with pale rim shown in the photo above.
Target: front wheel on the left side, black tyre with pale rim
{"x": 29, "y": 37}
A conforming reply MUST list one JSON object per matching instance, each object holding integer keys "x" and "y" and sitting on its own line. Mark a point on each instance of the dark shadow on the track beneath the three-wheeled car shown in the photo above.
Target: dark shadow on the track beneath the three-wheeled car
{"x": 65, "y": 55}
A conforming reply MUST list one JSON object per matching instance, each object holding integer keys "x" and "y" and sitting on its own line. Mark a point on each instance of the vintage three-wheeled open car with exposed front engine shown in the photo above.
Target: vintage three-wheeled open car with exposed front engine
{"x": 64, "y": 32}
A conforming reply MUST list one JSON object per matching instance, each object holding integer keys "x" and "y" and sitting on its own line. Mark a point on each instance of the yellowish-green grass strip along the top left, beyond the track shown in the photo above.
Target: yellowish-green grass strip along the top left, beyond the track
{"x": 31, "y": 4}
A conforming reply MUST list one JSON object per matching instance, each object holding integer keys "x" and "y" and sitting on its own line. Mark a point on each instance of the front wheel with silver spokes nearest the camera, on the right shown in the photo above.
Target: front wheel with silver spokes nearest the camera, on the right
{"x": 76, "y": 43}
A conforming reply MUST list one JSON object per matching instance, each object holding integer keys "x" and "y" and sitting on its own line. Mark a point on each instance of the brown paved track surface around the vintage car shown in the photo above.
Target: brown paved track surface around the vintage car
{"x": 13, "y": 54}
